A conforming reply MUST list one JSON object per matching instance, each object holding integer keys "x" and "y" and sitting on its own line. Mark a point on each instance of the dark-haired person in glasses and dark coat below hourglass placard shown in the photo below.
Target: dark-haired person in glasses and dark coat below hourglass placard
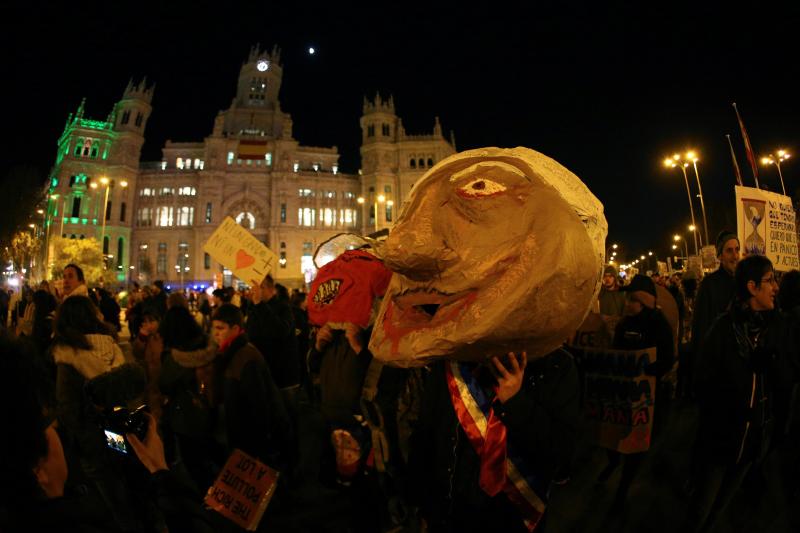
{"x": 743, "y": 377}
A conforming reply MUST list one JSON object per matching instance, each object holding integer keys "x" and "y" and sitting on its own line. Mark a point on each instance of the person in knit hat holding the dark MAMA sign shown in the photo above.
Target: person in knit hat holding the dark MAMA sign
{"x": 643, "y": 326}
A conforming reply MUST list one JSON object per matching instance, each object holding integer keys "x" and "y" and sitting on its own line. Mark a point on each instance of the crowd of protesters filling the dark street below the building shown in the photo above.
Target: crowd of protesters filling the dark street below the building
{"x": 245, "y": 370}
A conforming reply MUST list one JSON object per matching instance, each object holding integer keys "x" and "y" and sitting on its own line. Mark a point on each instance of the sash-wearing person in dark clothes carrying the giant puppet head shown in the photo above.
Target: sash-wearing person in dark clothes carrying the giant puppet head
{"x": 537, "y": 403}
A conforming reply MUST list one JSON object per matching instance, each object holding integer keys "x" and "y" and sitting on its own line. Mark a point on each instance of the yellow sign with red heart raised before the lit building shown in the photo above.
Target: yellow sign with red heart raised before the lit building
{"x": 238, "y": 250}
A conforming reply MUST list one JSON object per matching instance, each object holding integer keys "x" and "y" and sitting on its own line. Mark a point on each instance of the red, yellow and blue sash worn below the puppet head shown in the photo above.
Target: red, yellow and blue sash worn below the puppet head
{"x": 502, "y": 467}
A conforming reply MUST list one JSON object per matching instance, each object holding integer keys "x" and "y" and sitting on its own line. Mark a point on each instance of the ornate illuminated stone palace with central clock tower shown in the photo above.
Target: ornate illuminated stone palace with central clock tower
{"x": 250, "y": 167}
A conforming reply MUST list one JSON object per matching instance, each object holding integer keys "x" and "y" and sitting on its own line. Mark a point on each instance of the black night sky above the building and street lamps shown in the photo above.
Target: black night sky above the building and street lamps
{"x": 608, "y": 91}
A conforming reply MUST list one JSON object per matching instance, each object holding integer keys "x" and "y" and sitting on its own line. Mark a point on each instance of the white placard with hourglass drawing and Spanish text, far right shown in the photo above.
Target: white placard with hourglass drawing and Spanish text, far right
{"x": 767, "y": 225}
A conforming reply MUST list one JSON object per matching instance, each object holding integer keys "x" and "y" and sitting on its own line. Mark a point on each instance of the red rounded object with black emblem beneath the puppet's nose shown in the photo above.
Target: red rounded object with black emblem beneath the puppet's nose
{"x": 345, "y": 289}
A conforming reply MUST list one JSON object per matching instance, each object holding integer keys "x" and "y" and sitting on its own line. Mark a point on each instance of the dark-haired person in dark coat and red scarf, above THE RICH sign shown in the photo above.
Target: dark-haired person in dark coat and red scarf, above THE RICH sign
{"x": 256, "y": 420}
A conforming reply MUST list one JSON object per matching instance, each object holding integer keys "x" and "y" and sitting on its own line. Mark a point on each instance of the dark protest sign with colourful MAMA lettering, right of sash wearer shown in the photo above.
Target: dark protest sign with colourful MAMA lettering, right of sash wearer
{"x": 618, "y": 398}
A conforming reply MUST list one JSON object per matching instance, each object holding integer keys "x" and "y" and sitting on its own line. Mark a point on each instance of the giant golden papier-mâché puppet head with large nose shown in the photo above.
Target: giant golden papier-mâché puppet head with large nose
{"x": 496, "y": 249}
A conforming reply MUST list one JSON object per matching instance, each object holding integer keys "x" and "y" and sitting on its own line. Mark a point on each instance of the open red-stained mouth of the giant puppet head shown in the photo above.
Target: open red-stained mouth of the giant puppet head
{"x": 425, "y": 307}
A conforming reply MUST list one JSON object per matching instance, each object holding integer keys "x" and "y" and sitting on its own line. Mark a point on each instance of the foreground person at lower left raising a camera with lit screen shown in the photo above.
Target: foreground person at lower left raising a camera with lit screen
{"x": 34, "y": 467}
